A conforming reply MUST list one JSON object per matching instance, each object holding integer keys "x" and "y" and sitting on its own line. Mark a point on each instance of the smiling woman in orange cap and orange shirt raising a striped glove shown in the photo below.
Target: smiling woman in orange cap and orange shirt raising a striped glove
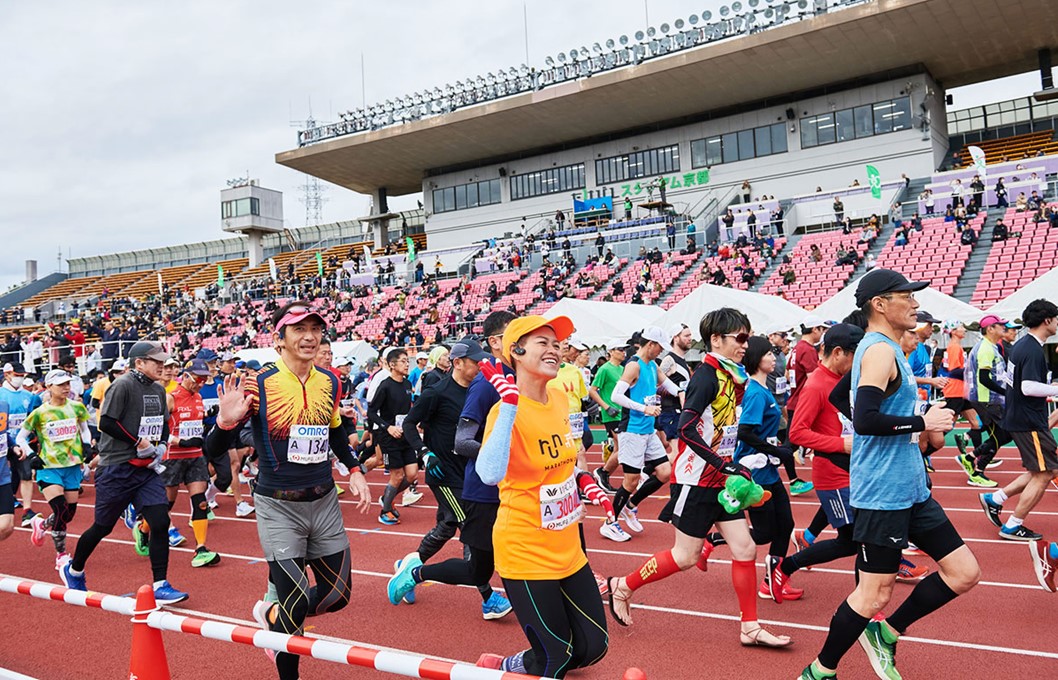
{"x": 531, "y": 452}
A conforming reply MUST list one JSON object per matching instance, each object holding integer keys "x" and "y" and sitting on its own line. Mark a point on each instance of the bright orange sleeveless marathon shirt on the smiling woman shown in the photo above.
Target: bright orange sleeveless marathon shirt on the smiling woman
{"x": 539, "y": 491}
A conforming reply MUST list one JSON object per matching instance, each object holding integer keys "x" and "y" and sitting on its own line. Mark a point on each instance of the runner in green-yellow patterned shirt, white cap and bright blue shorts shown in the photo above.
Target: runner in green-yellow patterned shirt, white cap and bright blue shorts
{"x": 61, "y": 427}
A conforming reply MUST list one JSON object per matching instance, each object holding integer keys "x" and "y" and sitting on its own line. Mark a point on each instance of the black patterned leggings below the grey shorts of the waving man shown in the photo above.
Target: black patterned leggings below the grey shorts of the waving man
{"x": 298, "y": 600}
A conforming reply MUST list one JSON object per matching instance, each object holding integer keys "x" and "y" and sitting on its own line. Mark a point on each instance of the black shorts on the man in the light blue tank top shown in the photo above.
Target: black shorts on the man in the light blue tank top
{"x": 884, "y": 535}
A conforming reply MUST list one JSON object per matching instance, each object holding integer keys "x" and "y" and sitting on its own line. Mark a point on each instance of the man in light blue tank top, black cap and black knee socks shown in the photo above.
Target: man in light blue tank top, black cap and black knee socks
{"x": 888, "y": 489}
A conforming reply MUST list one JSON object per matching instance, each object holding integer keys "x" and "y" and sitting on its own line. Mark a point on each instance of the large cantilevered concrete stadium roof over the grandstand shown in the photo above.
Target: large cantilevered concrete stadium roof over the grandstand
{"x": 958, "y": 42}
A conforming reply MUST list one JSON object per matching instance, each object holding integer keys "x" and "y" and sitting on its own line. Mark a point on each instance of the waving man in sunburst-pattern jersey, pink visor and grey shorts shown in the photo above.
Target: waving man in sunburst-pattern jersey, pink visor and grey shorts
{"x": 294, "y": 409}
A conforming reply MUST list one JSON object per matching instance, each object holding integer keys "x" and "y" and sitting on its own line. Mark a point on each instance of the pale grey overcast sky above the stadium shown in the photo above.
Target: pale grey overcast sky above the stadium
{"x": 124, "y": 120}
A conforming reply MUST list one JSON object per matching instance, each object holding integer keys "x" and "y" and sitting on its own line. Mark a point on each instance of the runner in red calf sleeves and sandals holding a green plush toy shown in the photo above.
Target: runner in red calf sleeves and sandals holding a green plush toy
{"x": 708, "y": 433}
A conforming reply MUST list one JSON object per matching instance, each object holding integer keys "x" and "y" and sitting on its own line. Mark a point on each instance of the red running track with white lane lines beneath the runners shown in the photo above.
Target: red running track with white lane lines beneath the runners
{"x": 686, "y": 627}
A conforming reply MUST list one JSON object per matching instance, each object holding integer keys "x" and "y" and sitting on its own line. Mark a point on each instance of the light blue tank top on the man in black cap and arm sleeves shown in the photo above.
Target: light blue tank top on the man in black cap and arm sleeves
{"x": 887, "y": 473}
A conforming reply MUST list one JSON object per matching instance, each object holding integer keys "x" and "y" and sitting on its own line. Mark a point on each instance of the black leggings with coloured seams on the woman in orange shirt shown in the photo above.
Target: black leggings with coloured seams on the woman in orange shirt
{"x": 563, "y": 621}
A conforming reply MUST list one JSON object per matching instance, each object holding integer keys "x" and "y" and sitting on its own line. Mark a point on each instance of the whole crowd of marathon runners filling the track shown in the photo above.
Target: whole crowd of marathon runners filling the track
{"x": 498, "y": 427}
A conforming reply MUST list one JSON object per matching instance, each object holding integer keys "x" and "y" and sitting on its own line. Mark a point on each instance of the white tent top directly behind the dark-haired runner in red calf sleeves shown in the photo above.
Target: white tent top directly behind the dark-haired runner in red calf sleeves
{"x": 764, "y": 311}
